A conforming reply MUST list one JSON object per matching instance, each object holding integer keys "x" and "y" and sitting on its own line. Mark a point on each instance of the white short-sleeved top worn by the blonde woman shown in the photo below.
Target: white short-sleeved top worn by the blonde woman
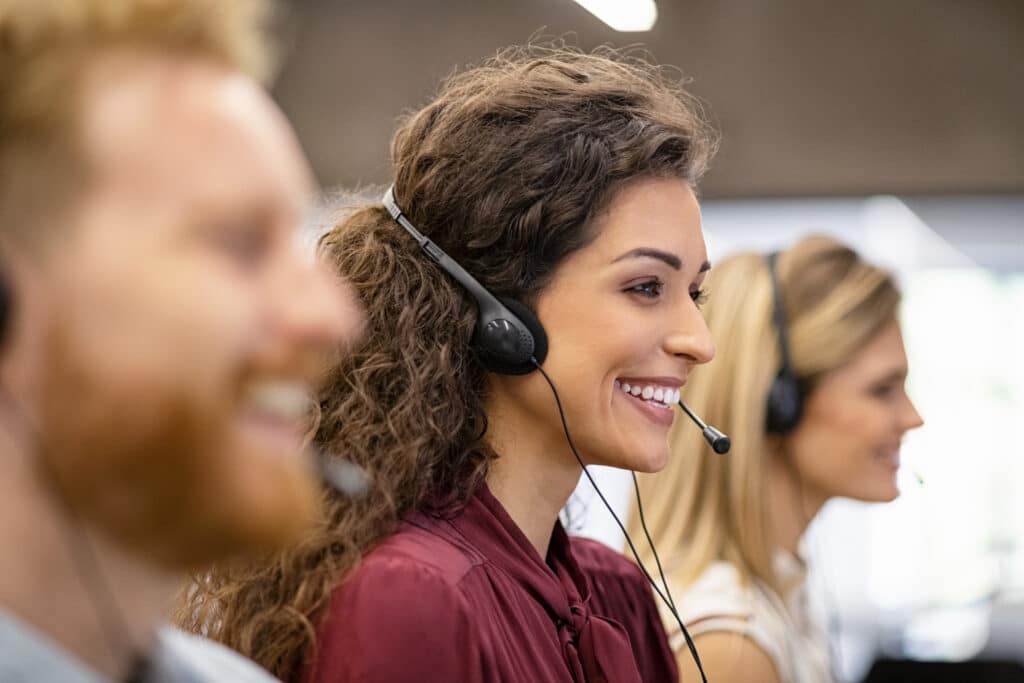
{"x": 718, "y": 602}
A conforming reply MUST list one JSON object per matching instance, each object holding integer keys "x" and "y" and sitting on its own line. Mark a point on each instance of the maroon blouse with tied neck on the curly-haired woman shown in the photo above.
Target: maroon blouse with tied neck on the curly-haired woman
{"x": 468, "y": 600}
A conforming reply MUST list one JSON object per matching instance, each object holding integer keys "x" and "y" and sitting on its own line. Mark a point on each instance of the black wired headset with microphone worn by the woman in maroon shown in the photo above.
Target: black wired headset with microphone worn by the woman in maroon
{"x": 510, "y": 340}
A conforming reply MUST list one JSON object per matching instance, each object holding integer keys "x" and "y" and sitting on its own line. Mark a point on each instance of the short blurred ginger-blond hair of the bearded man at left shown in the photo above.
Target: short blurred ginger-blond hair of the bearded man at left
{"x": 47, "y": 48}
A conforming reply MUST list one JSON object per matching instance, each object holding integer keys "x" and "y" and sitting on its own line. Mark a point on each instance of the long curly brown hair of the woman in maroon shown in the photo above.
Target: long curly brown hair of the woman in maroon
{"x": 505, "y": 170}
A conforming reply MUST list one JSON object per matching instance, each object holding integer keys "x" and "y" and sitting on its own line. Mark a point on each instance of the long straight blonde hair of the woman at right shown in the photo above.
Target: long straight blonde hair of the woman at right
{"x": 705, "y": 507}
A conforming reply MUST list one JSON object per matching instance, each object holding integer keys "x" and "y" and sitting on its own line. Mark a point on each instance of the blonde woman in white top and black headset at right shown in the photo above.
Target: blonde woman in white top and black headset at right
{"x": 809, "y": 385}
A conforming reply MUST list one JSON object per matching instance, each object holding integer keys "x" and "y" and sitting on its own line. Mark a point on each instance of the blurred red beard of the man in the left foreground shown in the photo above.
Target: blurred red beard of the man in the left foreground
{"x": 141, "y": 447}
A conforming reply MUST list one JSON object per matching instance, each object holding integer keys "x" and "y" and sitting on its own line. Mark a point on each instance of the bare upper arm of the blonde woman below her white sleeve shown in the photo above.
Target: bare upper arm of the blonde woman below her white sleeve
{"x": 729, "y": 658}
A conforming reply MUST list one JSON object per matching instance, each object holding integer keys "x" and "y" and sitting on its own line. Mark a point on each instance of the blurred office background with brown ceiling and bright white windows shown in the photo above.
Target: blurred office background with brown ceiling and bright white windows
{"x": 897, "y": 126}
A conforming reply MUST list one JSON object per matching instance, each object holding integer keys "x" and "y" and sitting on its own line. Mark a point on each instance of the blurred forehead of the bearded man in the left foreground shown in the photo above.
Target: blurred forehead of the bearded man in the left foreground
{"x": 168, "y": 129}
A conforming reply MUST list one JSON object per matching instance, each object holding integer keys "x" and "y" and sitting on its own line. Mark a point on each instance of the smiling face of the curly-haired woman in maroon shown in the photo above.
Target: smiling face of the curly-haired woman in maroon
{"x": 625, "y": 329}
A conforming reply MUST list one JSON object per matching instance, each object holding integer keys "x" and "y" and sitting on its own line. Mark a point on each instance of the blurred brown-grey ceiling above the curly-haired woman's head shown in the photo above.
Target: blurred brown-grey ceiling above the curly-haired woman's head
{"x": 813, "y": 99}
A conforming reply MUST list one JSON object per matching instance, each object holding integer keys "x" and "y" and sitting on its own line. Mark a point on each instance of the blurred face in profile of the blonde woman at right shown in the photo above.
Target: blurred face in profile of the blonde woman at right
{"x": 848, "y": 443}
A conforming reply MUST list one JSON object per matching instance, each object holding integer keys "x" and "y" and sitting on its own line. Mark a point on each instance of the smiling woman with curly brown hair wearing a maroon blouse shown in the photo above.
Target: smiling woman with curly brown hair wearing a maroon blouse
{"x": 565, "y": 182}
